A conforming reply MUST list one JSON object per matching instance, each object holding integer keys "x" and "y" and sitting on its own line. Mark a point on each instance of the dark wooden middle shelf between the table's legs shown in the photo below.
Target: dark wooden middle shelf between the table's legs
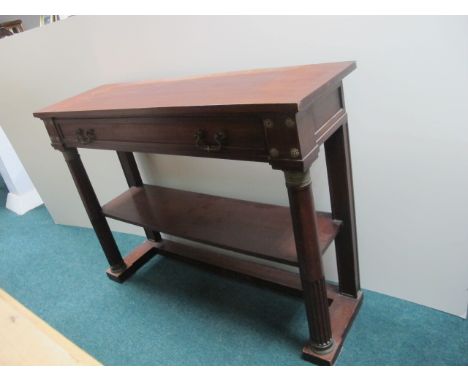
{"x": 261, "y": 230}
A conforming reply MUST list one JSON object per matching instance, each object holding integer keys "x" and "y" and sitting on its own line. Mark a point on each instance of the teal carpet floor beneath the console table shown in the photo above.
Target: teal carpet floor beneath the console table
{"x": 171, "y": 313}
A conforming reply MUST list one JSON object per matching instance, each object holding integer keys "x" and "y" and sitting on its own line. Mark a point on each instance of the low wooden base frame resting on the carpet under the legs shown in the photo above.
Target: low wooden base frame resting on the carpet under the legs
{"x": 342, "y": 308}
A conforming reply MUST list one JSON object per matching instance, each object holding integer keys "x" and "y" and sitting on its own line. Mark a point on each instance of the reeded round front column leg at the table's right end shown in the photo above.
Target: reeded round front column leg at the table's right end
{"x": 310, "y": 260}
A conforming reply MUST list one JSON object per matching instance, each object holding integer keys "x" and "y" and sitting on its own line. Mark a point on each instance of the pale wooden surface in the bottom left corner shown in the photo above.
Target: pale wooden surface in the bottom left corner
{"x": 27, "y": 340}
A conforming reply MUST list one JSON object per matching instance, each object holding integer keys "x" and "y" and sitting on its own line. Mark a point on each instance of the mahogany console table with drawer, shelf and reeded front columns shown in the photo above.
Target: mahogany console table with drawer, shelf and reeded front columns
{"x": 280, "y": 116}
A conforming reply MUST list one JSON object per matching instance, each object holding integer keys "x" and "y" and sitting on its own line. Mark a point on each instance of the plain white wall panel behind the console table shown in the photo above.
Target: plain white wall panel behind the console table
{"x": 406, "y": 105}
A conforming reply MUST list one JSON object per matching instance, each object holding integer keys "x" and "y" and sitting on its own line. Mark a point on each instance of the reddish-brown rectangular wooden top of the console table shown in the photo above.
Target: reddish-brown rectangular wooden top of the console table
{"x": 278, "y": 89}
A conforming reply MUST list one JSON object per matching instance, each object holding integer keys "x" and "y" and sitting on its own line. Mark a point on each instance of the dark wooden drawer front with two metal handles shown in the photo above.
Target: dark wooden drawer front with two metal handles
{"x": 207, "y": 136}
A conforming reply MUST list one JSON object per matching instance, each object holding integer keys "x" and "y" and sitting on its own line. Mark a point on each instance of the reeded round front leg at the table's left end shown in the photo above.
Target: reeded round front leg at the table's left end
{"x": 93, "y": 208}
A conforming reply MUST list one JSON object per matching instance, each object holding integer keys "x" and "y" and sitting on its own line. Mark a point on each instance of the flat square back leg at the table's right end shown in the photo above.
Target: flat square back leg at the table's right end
{"x": 342, "y": 201}
